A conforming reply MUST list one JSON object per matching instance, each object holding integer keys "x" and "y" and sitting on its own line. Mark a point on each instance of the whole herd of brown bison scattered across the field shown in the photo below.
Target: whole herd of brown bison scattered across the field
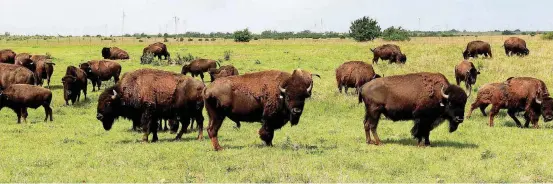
{"x": 274, "y": 98}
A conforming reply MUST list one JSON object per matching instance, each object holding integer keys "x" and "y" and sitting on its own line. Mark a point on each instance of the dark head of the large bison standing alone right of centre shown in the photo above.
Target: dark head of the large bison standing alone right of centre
{"x": 454, "y": 100}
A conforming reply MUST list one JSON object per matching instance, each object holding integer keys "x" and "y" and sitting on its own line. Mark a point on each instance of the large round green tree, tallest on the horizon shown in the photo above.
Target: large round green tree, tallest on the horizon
{"x": 364, "y": 29}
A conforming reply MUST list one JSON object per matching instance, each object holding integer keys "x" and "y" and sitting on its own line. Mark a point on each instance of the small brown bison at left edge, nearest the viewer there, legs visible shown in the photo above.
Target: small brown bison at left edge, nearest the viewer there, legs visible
{"x": 19, "y": 97}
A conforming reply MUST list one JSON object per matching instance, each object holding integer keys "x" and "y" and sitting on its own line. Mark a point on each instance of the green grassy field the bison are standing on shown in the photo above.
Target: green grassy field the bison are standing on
{"x": 327, "y": 146}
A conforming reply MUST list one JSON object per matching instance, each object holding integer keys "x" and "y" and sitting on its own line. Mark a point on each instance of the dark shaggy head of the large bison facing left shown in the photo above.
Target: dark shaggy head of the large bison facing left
{"x": 108, "y": 106}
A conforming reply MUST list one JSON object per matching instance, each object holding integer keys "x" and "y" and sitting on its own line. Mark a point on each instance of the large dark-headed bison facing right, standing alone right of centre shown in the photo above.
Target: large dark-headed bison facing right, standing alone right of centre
{"x": 426, "y": 98}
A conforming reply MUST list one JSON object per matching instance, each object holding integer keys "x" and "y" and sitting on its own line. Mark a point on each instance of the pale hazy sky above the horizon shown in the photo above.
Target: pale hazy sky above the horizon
{"x": 105, "y": 17}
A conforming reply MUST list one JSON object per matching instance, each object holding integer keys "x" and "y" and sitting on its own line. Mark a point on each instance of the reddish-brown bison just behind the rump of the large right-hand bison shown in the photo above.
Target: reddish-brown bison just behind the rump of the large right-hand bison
{"x": 353, "y": 74}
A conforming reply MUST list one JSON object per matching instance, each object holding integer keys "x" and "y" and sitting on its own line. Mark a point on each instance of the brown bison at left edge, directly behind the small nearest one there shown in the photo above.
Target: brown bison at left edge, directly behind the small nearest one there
{"x": 14, "y": 74}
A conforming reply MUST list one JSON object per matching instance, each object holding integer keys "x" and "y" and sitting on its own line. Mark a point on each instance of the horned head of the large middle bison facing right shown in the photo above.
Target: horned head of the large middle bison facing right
{"x": 294, "y": 91}
